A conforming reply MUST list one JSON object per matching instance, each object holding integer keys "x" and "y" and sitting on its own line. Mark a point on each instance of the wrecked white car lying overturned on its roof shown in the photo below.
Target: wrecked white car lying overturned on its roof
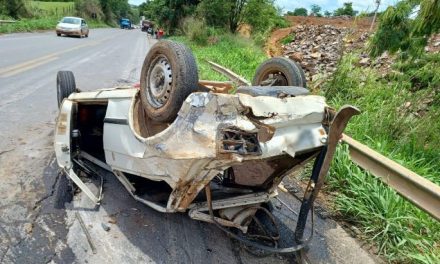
{"x": 179, "y": 144}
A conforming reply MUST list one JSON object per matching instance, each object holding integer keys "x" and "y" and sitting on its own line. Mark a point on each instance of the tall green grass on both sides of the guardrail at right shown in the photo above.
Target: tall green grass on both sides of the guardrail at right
{"x": 400, "y": 119}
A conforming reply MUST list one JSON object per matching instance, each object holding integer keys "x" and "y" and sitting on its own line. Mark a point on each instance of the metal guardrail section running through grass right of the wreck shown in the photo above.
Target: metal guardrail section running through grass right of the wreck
{"x": 415, "y": 188}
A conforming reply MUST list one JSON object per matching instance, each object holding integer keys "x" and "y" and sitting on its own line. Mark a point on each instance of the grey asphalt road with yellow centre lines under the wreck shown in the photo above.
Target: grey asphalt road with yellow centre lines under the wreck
{"x": 31, "y": 231}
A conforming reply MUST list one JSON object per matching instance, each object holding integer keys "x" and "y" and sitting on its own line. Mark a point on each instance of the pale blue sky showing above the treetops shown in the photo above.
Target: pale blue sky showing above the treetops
{"x": 326, "y": 5}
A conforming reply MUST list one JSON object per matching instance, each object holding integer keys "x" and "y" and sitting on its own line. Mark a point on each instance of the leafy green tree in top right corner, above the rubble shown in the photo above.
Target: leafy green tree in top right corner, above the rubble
{"x": 399, "y": 30}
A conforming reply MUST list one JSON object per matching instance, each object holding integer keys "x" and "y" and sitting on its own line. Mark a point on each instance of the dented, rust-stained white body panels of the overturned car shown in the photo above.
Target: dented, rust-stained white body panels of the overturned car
{"x": 191, "y": 151}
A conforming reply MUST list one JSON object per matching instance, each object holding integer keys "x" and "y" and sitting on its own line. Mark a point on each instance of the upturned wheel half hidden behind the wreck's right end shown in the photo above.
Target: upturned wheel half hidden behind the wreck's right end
{"x": 283, "y": 72}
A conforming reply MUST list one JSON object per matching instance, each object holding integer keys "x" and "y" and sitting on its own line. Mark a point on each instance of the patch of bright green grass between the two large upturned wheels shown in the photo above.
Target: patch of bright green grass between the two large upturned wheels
{"x": 238, "y": 54}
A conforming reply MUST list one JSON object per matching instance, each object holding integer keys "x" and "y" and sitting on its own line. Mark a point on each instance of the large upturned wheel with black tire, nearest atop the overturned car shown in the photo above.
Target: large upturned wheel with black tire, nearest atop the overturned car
{"x": 169, "y": 74}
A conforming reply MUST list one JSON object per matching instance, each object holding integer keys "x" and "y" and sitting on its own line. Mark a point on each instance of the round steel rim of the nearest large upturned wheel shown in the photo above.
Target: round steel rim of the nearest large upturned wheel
{"x": 159, "y": 82}
